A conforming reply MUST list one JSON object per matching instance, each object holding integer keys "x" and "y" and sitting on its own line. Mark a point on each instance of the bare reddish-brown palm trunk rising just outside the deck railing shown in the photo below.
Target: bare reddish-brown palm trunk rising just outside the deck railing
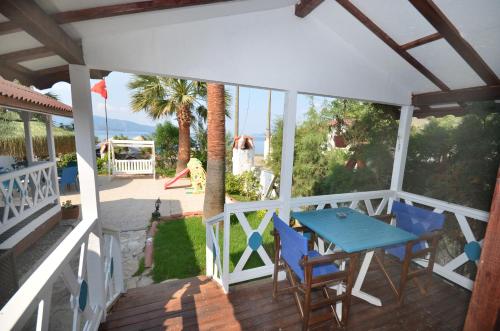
{"x": 215, "y": 187}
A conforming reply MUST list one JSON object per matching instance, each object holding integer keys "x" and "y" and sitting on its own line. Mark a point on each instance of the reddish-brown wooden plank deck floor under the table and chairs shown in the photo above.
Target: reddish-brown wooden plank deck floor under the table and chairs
{"x": 199, "y": 304}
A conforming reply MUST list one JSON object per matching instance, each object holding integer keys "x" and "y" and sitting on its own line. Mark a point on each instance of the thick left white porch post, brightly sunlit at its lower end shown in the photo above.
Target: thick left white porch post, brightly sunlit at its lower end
{"x": 84, "y": 138}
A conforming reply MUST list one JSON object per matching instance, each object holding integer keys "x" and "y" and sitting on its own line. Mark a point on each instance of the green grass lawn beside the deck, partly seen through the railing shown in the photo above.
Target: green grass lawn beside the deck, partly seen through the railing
{"x": 179, "y": 247}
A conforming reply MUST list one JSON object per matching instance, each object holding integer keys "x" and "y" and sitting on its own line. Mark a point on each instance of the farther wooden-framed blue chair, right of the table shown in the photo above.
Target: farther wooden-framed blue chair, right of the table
{"x": 426, "y": 225}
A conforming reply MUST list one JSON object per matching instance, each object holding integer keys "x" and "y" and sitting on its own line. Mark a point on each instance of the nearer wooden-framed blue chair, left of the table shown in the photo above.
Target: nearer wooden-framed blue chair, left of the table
{"x": 307, "y": 269}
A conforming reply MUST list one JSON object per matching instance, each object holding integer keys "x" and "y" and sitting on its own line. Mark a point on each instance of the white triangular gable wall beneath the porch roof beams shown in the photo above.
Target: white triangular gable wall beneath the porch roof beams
{"x": 270, "y": 49}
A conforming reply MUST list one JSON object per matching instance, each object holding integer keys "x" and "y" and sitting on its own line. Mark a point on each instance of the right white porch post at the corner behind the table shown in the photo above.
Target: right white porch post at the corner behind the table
{"x": 401, "y": 151}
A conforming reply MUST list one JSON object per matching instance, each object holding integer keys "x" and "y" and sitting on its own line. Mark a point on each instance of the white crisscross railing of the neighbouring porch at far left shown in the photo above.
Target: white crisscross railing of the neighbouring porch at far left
{"x": 24, "y": 192}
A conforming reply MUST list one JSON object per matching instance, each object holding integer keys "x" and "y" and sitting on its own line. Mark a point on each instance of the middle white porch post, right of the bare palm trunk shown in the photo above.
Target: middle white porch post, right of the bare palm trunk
{"x": 288, "y": 146}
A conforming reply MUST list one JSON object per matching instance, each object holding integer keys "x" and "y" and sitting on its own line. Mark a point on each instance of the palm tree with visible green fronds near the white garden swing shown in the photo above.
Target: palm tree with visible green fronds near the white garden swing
{"x": 161, "y": 96}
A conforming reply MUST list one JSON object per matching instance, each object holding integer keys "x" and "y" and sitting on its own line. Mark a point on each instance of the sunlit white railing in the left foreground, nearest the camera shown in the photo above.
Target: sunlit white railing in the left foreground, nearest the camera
{"x": 94, "y": 285}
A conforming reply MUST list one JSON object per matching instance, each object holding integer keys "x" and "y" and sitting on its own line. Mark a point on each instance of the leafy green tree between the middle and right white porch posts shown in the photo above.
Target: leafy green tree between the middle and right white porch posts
{"x": 370, "y": 130}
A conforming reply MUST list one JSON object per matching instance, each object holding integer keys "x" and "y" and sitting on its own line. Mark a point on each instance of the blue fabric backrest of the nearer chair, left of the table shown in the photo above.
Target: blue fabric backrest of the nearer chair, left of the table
{"x": 293, "y": 245}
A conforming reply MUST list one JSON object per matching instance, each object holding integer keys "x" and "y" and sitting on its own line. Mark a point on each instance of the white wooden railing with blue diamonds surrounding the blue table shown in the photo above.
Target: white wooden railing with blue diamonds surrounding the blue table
{"x": 372, "y": 203}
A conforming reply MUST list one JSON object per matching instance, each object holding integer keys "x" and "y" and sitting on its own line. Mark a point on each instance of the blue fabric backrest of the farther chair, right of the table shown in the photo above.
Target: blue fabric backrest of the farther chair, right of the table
{"x": 416, "y": 220}
